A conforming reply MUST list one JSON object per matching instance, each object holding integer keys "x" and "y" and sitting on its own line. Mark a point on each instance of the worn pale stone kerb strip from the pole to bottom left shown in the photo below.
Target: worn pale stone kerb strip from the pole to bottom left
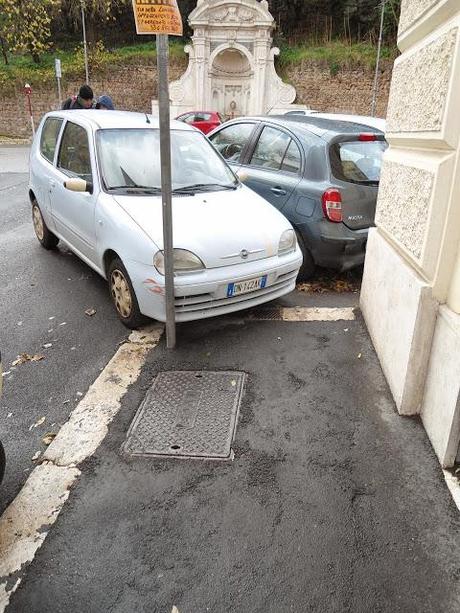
{"x": 26, "y": 522}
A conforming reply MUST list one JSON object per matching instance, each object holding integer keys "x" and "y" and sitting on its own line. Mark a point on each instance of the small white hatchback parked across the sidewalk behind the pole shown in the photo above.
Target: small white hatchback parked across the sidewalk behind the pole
{"x": 95, "y": 184}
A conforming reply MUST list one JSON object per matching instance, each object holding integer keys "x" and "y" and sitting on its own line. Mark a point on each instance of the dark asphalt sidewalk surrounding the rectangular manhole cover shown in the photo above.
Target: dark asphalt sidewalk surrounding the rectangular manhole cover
{"x": 333, "y": 502}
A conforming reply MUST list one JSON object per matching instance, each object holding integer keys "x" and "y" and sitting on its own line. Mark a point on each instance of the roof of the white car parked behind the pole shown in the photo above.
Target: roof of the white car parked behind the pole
{"x": 117, "y": 119}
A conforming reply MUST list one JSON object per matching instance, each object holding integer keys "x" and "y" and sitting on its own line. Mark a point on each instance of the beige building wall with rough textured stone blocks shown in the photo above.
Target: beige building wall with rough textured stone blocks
{"x": 411, "y": 287}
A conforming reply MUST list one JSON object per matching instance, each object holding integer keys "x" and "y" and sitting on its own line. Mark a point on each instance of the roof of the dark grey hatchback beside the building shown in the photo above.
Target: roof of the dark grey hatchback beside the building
{"x": 326, "y": 129}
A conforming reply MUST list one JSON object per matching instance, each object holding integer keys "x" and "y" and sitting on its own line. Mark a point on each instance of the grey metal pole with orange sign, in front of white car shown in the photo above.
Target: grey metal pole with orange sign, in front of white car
{"x": 162, "y": 17}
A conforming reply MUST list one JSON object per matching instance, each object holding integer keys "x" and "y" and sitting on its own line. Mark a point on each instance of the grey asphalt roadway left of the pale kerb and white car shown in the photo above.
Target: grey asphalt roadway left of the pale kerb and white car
{"x": 43, "y": 298}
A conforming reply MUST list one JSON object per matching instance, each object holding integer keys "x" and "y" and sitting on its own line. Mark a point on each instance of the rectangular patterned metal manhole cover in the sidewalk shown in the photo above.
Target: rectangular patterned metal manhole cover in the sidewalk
{"x": 187, "y": 414}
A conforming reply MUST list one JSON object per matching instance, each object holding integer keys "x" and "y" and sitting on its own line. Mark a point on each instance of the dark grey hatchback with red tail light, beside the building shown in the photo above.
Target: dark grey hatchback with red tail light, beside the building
{"x": 322, "y": 174}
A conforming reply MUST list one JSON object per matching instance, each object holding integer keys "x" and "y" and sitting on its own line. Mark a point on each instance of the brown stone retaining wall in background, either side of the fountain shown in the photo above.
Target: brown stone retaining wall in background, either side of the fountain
{"x": 133, "y": 87}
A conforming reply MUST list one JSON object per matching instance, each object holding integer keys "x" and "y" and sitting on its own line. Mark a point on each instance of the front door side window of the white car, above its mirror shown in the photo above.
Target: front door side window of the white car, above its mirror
{"x": 74, "y": 157}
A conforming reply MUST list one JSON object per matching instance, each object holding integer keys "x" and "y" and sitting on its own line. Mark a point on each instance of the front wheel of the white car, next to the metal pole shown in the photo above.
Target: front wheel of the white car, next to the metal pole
{"x": 123, "y": 296}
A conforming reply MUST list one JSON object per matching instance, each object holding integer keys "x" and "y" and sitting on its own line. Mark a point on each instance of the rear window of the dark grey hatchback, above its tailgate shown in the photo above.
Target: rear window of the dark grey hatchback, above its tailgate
{"x": 357, "y": 161}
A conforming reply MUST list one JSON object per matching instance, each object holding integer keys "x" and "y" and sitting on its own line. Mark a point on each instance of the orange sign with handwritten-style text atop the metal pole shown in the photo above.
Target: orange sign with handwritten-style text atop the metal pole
{"x": 157, "y": 17}
